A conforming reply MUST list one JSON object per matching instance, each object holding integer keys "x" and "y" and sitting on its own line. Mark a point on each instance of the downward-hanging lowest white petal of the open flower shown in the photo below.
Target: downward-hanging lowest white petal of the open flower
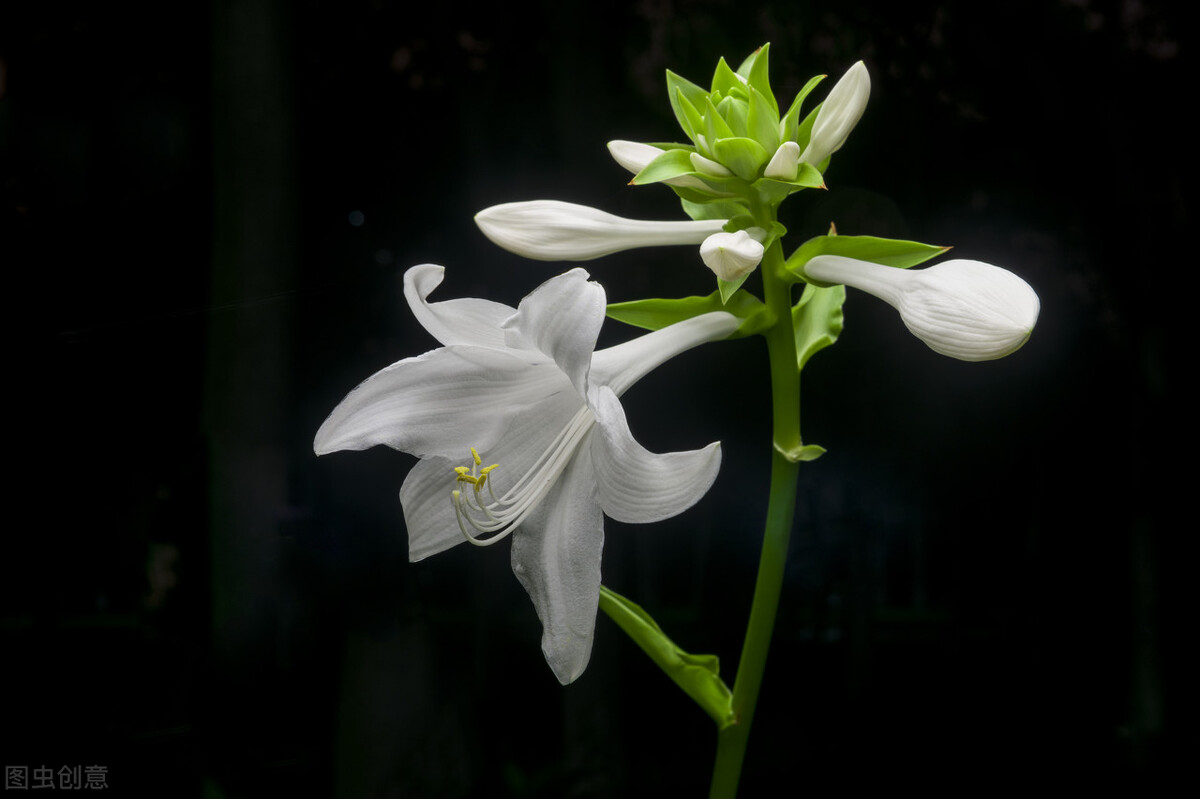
{"x": 556, "y": 556}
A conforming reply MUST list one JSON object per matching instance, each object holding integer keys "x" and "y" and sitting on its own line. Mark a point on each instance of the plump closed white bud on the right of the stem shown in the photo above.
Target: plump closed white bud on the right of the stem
{"x": 963, "y": 309}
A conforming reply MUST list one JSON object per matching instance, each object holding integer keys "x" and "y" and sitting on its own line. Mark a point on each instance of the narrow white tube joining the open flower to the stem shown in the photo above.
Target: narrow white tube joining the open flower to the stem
{"x": 622, "y": 367}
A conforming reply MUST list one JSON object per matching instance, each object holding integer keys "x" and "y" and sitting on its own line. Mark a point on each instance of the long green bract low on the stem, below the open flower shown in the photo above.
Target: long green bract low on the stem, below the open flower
{"x": 697, "y": 675}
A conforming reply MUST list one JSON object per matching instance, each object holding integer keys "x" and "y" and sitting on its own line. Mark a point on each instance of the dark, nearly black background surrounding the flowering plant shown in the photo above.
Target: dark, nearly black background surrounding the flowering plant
{"x": 207, "y": 212}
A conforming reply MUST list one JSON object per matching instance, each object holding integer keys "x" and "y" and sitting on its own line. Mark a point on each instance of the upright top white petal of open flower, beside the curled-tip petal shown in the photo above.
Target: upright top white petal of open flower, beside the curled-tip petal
{"x": 562, "y": 320}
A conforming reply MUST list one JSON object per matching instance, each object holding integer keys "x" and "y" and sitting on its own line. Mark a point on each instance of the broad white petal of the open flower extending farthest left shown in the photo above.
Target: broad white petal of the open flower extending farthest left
{"x": 429, "y": 405}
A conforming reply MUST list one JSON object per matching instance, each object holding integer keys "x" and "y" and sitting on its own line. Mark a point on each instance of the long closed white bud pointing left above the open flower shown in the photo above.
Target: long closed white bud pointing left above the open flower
{"x": 556, "y": 231}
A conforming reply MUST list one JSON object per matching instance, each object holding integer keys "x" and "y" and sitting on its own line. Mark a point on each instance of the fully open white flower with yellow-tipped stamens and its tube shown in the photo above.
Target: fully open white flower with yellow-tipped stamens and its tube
{"x": 523, "y": 388}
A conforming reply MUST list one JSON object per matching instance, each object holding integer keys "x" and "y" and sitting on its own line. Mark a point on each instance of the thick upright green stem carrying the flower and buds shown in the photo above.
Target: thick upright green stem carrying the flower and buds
{"x": 731, "y": 742}
